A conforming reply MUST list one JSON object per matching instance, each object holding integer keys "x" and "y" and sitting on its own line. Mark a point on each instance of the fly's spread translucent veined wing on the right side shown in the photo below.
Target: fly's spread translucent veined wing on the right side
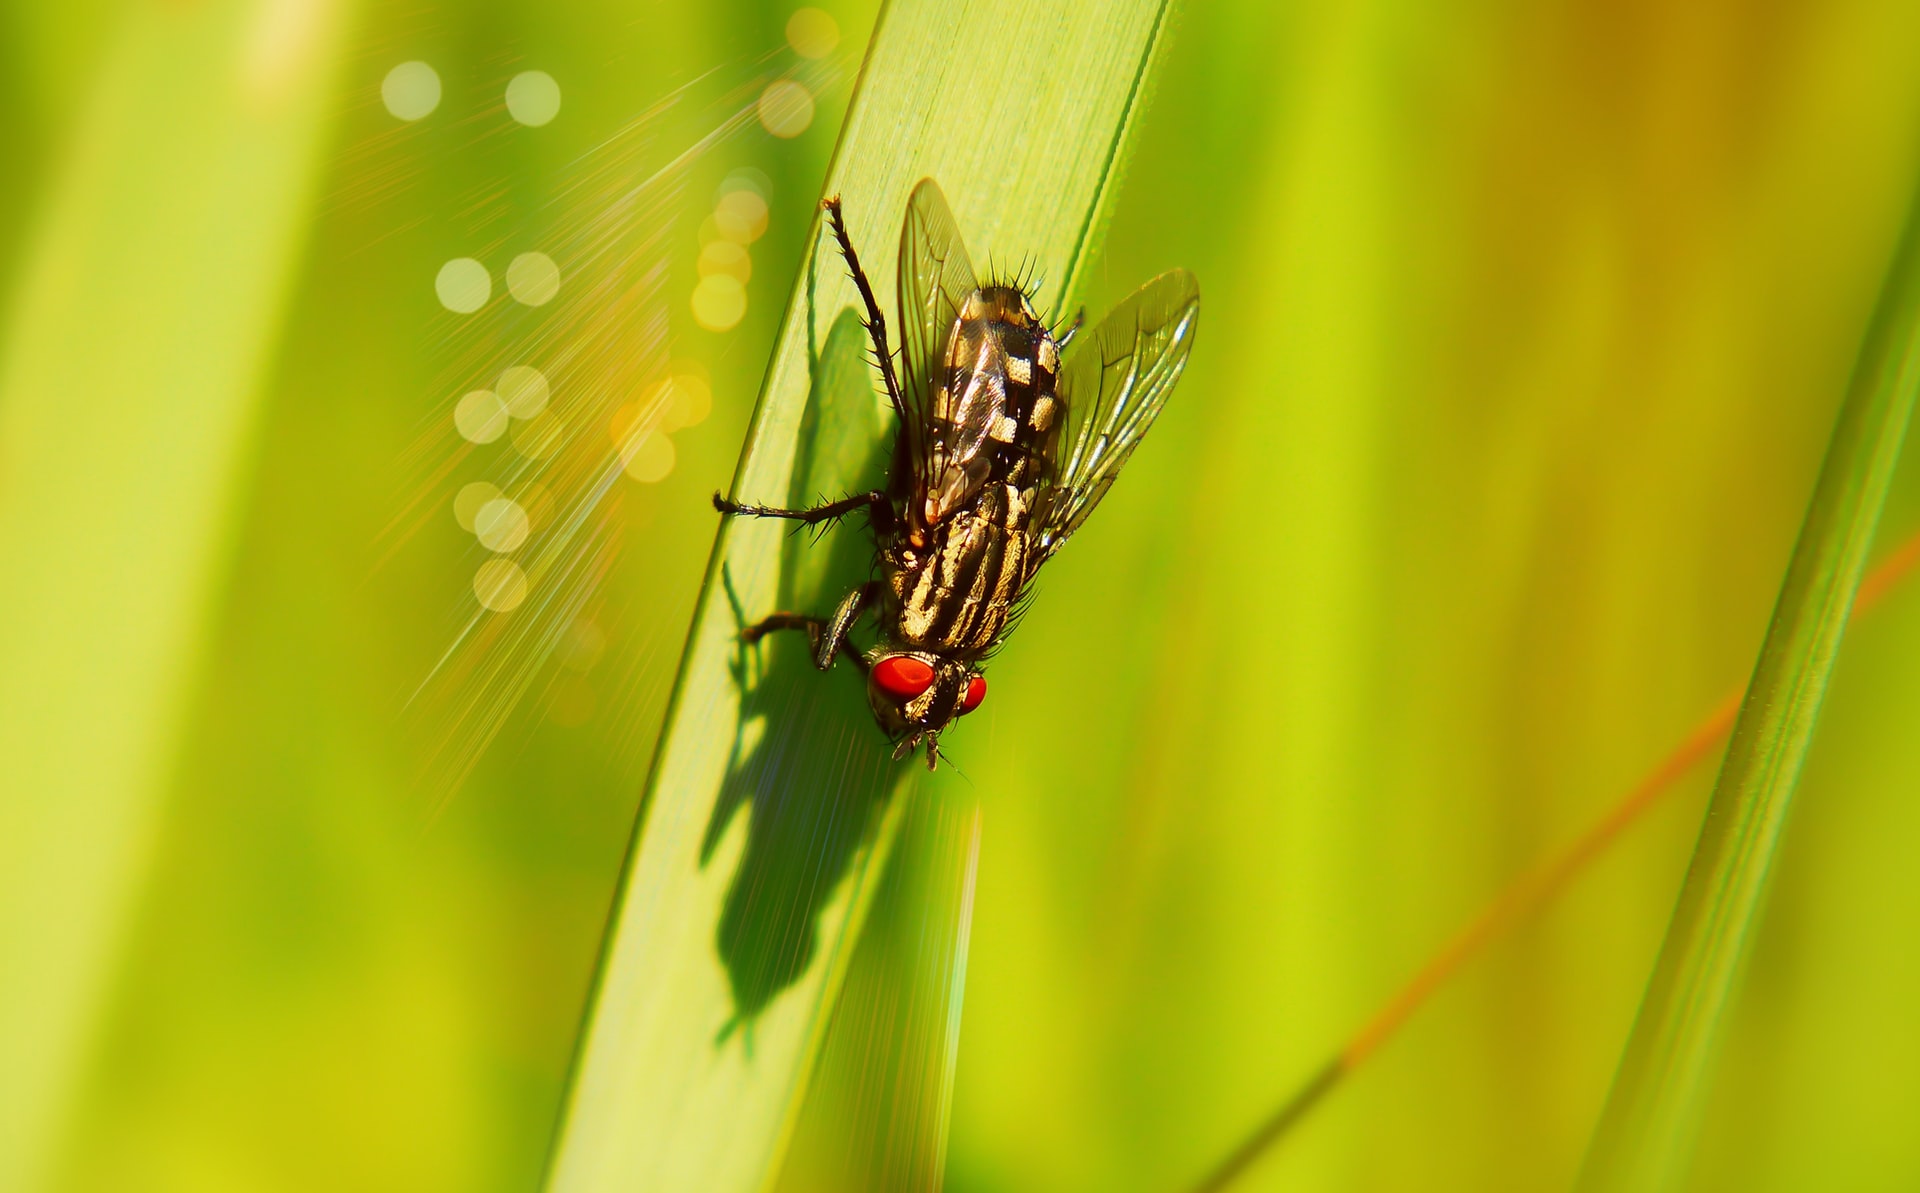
{"x": 1113, "y": 389}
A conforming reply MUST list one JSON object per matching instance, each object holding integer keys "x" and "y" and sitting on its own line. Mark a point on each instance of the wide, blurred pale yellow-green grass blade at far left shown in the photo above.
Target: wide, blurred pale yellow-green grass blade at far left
{"x": 128, "y": 387}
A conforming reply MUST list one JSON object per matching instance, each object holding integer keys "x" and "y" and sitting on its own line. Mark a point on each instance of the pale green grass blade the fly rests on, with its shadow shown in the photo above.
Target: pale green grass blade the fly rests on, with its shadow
{"x": 771, "y": 800}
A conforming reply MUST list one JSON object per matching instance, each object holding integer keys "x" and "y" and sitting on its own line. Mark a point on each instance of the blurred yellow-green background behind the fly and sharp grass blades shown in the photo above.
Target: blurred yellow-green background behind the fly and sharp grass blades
{"x": 1524, "y": 331}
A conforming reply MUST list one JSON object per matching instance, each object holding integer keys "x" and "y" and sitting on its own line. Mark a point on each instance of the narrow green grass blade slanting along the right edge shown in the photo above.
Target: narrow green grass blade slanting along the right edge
{"x": 1648, "y": 1125}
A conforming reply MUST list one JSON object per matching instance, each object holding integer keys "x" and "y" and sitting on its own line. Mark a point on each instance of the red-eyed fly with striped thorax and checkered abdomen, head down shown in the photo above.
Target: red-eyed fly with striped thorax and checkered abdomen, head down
{"x": 1003, "y": 450}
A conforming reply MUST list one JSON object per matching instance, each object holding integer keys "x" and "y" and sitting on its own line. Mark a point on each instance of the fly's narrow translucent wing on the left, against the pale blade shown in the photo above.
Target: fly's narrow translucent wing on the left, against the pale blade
{"x": 936, "y": 280}
